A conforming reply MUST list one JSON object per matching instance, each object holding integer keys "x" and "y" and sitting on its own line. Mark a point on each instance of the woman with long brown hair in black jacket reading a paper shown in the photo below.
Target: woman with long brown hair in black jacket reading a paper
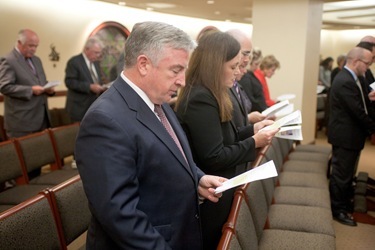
{"x": 205, "y": 111}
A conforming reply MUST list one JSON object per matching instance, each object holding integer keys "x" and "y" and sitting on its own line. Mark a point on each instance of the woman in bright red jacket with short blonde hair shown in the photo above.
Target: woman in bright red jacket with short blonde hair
{"x": 267, "y": 69}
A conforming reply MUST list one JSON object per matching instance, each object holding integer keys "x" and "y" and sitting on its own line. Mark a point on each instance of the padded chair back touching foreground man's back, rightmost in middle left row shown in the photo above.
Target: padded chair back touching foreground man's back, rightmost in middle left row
{"x": 64, "y": 139}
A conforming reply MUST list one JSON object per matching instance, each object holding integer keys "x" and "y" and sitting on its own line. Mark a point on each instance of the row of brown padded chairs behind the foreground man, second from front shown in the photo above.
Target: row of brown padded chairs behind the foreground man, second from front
{"x": 21, "y": 156}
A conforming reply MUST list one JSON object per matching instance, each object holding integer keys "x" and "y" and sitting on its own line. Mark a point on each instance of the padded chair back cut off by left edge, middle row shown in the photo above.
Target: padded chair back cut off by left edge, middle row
{"x": 10, "y": 167}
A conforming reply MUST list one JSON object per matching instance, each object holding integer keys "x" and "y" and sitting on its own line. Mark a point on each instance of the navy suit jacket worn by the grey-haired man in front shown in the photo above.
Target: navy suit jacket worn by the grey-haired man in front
{"x": 141, "y": 191}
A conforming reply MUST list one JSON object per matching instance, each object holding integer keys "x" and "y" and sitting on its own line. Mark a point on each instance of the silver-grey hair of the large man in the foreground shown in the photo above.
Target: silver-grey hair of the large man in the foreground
{"x": 151, "y": 38}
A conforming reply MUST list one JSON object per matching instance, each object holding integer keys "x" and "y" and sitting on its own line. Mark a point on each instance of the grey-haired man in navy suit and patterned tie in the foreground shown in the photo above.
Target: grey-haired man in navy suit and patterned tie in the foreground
{"x": 135, "y": 163}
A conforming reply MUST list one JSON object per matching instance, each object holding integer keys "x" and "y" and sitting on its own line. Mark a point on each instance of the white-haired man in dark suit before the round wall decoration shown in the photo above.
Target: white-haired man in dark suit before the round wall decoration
{"x": 83, "y": 79}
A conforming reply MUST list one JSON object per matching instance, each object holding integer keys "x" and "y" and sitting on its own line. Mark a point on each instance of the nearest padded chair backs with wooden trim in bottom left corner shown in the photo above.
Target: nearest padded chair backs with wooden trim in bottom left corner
{"x": 51, "y": 219}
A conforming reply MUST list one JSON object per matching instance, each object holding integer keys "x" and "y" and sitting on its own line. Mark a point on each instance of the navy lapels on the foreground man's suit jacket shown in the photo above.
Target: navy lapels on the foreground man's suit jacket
{"x": 149, "y": 120}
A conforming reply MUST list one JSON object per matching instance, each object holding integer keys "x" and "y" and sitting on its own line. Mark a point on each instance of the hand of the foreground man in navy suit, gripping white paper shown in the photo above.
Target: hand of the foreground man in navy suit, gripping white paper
{"x": 207, "y": 185}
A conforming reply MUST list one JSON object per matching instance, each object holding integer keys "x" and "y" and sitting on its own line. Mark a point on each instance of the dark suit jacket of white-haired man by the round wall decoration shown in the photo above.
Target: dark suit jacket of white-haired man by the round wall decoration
{"x": 78, "y": 80}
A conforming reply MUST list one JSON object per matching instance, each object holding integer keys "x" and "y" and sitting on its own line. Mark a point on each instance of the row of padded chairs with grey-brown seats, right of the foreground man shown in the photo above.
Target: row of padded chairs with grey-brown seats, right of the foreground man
{"x": 290, "y": 211}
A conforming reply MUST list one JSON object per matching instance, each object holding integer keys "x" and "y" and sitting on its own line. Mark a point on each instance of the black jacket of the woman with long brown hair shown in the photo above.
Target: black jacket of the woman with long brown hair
{"x": 217, "y": 146}
